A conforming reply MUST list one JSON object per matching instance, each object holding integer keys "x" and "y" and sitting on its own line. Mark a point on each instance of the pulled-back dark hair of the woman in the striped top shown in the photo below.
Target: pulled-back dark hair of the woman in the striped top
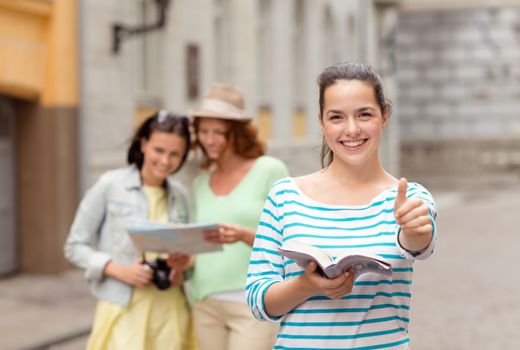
{"x": 349, "y": 71}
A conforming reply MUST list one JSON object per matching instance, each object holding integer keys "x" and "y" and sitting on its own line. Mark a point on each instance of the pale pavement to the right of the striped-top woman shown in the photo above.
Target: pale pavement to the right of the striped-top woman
{"x": 466, "y": 296}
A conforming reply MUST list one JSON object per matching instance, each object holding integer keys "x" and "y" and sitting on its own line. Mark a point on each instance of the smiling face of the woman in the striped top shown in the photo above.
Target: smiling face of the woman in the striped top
{"x": 352, "y": 121}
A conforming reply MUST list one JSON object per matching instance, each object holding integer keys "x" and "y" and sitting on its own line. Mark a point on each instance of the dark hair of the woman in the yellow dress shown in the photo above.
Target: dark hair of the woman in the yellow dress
{"x": 161, "y": 121}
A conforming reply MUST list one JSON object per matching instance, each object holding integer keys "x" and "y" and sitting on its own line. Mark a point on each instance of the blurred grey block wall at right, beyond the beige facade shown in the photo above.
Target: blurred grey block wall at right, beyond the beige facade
{"x": 459, "y": 93}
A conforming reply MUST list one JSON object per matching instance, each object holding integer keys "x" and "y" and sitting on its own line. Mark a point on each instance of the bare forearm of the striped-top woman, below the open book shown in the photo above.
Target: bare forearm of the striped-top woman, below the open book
{"x": 282, "y": 297}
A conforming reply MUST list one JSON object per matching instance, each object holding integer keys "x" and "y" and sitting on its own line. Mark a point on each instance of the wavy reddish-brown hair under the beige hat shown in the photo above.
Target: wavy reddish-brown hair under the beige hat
{"x": 242, "y": 137}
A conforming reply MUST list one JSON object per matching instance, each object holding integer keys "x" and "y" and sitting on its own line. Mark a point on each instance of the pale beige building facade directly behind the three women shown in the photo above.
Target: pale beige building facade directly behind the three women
{"x": 273, "y": 50}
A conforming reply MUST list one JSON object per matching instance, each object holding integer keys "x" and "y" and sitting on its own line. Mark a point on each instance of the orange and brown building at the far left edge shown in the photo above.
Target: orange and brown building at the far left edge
{"x": 38, "y": 143}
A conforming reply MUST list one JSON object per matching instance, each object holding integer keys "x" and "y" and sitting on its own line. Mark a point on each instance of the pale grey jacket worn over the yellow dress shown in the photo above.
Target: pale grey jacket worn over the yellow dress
{"x": 98, "y": 234}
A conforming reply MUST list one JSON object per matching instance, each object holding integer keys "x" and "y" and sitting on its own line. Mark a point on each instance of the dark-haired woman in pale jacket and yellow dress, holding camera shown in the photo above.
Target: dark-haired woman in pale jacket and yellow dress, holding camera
{"x": 133, "y": 313}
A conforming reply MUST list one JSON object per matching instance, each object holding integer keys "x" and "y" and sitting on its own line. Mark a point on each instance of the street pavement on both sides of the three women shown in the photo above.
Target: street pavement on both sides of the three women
{"x": 464, "y": 297}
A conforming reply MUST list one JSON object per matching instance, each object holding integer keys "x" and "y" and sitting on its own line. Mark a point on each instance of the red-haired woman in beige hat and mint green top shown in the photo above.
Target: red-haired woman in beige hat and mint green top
{"x": 230, "y": 191}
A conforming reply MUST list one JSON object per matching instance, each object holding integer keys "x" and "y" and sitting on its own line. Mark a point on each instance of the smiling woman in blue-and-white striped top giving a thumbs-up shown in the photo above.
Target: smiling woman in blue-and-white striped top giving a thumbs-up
{"x": 352, "y": 204}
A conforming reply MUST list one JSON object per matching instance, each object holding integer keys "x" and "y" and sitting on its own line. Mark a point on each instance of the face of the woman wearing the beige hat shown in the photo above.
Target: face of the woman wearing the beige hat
{"x": 212, "y": 136}
